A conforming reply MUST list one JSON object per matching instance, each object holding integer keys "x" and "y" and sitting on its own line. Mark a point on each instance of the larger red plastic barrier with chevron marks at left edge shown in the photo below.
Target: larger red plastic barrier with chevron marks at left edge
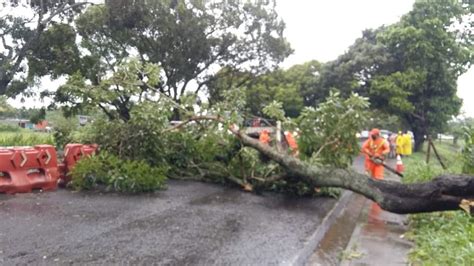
{"x": 26, "y": 168}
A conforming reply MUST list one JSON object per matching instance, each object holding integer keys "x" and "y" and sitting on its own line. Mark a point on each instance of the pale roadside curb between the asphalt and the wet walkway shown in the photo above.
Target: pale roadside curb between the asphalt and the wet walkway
{"x": 312, "y": 242}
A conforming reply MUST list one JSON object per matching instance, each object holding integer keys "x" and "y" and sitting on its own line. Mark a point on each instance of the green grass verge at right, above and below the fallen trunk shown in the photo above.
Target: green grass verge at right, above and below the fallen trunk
{"x": 442, "y": 238}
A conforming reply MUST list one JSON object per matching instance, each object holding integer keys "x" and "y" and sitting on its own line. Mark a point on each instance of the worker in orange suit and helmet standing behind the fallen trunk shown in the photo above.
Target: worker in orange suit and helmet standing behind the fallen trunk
{"x": 375, "y": 148}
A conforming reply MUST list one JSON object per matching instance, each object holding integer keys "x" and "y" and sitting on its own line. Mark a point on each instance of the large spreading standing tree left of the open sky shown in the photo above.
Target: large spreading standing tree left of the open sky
{"x": 190, "y": 41}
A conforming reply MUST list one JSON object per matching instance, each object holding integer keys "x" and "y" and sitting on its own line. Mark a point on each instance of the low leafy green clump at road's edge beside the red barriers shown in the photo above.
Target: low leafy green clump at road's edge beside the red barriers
{"x": 106, "y": 171}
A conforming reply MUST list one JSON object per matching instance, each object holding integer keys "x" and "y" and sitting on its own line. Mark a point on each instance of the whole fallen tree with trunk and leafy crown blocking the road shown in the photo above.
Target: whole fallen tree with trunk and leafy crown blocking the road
{"x": 202, "y": 149}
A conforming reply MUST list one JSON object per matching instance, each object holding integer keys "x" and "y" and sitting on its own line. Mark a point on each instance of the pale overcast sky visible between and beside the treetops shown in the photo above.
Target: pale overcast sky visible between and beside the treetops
{"x": 324, "y": 29}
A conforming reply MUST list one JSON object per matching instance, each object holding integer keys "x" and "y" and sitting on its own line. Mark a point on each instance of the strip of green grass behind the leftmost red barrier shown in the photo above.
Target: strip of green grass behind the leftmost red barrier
{"x": 25, "y": 138}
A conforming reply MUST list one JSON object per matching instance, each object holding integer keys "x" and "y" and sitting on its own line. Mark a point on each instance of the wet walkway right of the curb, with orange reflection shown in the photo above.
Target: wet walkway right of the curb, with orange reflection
{"x": 364, "y": 234}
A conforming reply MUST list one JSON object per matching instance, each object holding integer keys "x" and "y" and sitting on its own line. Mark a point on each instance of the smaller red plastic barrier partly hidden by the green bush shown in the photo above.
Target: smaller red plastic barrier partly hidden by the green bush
{"x": 73, "y": 152}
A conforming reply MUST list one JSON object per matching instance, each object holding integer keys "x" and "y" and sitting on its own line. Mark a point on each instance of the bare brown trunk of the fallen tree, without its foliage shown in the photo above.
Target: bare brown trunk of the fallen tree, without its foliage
{"x": 442, "y": 193}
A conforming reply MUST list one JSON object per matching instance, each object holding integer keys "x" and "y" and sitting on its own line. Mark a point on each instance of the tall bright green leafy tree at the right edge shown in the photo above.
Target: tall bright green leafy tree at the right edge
{"x": 432, "y": 49}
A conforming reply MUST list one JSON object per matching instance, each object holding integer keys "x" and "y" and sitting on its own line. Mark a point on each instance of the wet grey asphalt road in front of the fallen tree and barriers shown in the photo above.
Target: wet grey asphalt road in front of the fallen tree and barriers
{"x": 187, "y": 224}
